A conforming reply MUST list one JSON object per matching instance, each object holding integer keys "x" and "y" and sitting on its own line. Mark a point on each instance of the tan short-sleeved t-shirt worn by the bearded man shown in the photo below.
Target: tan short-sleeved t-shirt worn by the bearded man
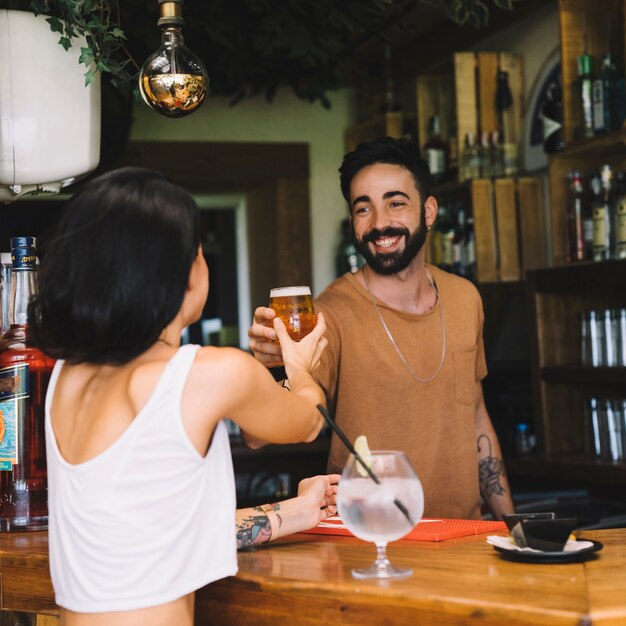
{"x": 370, "y": 391}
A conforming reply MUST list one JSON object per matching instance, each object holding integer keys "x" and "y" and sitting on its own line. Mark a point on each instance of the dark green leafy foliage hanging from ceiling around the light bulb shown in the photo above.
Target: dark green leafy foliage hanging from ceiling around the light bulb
{"x": 249, "y": 46}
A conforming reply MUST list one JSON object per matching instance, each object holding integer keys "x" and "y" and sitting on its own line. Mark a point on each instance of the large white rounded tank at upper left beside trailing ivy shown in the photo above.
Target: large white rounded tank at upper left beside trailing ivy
{"x": 49, "y": 120}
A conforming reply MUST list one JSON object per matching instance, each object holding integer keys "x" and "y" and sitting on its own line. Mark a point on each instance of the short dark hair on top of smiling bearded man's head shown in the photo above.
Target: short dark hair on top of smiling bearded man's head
{"x": 404, "y": 152}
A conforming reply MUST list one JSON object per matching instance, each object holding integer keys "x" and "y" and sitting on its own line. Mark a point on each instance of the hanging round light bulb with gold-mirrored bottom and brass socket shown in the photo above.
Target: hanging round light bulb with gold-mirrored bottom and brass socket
{"x": 173, "y": 81}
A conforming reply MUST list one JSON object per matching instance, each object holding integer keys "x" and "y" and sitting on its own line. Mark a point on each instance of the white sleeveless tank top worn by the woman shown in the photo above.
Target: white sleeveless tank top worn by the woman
{"x": 149, "y": 519}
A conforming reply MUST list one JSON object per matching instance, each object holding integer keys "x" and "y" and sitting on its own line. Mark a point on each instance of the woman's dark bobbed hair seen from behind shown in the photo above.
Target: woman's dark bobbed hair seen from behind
{"x": 116, "y": 269}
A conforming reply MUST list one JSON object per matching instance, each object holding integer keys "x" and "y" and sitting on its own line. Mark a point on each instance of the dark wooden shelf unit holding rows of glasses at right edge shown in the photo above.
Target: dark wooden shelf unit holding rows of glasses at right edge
{"x": 562, "y": 386}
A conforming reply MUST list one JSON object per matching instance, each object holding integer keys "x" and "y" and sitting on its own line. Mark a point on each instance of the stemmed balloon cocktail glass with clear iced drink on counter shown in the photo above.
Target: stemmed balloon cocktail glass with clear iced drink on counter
{"x": 380, "y": 512}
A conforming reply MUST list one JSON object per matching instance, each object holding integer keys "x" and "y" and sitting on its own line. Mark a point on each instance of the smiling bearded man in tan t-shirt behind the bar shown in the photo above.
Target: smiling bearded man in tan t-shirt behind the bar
{"x": 405, "y": 356}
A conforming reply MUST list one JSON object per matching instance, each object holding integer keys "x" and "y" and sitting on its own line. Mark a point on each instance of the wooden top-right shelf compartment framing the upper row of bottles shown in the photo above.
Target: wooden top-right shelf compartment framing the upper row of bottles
{"x": 592, "y": 27}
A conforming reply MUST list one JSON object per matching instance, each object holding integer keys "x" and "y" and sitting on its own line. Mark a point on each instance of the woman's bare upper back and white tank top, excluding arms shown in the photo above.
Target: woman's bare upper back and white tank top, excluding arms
{"x": 138, "y": 516}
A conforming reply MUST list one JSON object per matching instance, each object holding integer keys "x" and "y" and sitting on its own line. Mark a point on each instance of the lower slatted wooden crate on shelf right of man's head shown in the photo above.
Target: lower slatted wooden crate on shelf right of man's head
{"x": 508, "y": 223}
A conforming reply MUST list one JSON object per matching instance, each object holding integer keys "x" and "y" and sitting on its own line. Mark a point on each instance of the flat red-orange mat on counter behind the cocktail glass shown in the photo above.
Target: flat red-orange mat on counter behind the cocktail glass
{"x": 427, "y": 530}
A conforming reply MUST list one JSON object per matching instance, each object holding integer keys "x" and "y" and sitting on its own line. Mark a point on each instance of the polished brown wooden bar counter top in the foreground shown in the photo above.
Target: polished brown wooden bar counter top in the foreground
{"x": 305, "y": 579}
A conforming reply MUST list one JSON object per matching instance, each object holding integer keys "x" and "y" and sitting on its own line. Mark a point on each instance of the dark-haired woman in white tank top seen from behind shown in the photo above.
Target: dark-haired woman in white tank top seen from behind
{"x": 141, "y": 485}
